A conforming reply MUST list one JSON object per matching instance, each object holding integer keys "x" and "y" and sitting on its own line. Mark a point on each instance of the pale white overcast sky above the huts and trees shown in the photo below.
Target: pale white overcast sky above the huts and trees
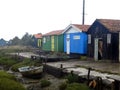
{"x": 41, "y": 16}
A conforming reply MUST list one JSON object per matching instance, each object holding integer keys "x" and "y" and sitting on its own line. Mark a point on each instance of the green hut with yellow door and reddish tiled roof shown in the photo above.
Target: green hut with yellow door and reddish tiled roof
{"x": 53, "y": 41}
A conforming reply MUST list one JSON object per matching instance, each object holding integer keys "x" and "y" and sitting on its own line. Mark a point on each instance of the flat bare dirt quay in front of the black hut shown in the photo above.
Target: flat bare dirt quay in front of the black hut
{"x": 102, "y": 66}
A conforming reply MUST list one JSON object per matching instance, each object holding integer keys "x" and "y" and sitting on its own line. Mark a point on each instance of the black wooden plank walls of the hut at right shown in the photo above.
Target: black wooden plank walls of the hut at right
{"x": 109, "y": 50}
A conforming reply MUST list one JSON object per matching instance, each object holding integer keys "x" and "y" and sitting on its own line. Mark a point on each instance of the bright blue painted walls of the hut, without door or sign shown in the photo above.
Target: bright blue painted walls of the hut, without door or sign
{"x": 77, "y": 45}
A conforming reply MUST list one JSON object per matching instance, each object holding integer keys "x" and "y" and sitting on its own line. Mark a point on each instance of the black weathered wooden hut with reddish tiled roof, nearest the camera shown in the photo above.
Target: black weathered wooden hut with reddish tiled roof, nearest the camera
{"x": 103, "y": 39}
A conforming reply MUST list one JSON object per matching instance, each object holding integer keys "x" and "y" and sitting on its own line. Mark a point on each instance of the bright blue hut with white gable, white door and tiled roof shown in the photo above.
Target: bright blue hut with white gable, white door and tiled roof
{"x": 75, "y": 39}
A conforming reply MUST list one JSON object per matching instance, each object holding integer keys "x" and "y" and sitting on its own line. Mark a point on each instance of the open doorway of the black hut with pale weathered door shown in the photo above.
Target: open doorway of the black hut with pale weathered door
{"x": 98, "y": 49}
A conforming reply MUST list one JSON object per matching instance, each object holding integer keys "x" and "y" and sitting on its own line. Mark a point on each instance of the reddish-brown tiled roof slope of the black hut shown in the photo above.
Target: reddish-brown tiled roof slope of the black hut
{"x": 111, "y": 24}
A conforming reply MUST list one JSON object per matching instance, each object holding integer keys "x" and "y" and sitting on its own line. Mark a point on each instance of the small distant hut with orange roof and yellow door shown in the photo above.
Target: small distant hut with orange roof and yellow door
{"x": 37, "y": 40}
